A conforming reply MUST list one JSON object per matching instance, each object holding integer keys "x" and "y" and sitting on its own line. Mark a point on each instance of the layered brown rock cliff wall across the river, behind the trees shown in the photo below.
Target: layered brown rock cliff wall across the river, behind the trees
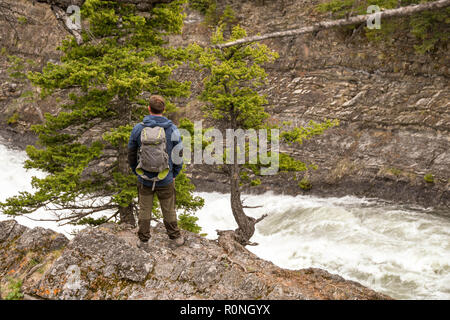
{"x": 393, "y": 104}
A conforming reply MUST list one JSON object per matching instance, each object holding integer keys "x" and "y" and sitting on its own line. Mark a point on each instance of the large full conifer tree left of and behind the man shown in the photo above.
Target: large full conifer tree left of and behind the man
{"x": 83, "y": 149}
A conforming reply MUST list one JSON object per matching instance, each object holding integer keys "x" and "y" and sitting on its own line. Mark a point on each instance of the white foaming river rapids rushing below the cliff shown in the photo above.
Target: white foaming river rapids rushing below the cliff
{"x": 402, "y": 252}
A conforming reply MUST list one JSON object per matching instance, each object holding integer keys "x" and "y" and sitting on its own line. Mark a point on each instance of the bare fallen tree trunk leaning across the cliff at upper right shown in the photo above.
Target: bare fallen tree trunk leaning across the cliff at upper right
{"x": 399, "y": 12}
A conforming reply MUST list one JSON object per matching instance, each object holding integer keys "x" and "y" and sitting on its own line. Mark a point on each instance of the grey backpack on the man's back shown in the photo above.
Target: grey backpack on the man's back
{"x": 153, "y": 155}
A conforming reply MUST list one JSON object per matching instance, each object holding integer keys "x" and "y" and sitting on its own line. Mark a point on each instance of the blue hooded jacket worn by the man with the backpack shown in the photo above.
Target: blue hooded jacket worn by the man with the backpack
{"x": 135, "y": 143}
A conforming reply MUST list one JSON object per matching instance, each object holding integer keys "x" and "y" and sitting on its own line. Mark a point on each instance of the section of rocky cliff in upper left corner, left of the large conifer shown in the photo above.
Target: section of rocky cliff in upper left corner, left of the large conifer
{"x": 30, "y": 32}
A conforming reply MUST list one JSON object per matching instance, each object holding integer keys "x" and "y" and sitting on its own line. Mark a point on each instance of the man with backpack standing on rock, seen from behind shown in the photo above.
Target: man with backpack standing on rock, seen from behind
{"x": 150, "y": 157}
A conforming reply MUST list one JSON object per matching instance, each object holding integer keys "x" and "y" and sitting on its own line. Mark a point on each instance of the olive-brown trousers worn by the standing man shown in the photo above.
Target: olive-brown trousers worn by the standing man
{"x": 166, "y": 197}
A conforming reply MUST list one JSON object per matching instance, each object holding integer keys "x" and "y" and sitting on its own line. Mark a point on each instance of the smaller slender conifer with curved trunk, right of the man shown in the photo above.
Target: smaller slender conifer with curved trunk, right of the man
{"x": 232, "y": 101}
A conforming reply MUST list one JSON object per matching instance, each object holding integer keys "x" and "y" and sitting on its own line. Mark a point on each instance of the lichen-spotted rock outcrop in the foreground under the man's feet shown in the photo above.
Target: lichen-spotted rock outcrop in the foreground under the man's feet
{"x": 104, "y": 263}
